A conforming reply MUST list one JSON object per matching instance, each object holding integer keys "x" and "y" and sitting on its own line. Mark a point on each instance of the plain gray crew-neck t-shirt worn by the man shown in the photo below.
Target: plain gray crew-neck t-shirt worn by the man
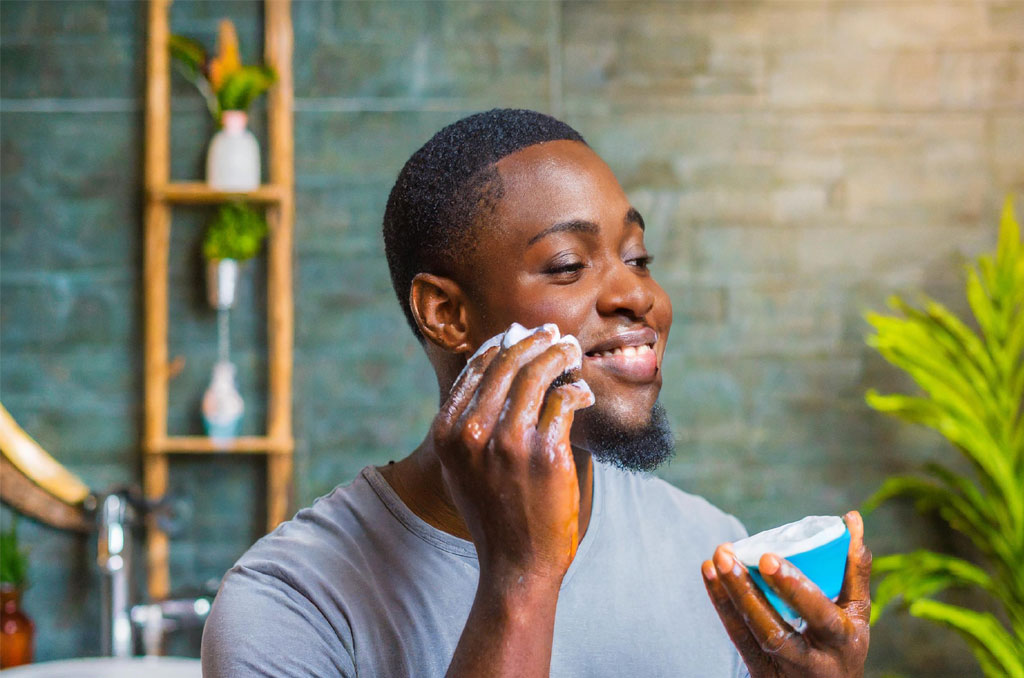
{"x": 359, "y": 585}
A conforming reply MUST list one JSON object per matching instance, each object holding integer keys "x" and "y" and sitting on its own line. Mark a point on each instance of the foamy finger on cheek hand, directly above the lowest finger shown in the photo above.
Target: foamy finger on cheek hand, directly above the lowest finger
{"x": 527, "y": 395}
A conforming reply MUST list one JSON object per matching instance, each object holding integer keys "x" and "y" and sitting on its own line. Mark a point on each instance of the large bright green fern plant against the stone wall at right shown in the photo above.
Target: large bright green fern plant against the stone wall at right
{"x": 973, "y": 386}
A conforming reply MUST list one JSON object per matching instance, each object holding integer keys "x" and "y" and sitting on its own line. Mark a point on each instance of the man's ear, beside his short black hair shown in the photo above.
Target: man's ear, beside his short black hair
{"x": 440, "y": 307}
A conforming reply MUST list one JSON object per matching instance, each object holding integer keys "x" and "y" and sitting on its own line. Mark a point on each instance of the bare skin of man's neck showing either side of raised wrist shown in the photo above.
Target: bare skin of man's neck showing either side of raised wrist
{"x": 419, "y": 483}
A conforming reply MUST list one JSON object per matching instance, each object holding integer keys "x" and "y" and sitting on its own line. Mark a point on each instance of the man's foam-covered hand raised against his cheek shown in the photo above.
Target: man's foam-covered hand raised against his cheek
{"x": 507, "y": 460}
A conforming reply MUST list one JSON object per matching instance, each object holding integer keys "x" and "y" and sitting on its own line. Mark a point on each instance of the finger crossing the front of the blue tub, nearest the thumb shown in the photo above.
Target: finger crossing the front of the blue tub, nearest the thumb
{"x": 825, "y": 621}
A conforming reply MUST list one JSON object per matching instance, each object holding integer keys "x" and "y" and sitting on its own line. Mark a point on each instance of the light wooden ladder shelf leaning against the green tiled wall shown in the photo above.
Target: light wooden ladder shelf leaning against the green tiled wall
{"x": 161, "y": 196}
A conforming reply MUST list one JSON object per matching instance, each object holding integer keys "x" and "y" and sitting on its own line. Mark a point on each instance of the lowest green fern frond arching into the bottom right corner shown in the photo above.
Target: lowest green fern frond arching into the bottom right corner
{"x": 1000, "y": 655}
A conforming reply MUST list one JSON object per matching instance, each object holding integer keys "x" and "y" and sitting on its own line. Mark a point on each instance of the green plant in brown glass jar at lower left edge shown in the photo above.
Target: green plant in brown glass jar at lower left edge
{"x": 17, "y": 629}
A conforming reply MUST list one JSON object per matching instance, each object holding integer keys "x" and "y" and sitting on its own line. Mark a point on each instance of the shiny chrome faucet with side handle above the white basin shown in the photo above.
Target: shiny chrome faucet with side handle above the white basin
{"x": 119, "y": 514}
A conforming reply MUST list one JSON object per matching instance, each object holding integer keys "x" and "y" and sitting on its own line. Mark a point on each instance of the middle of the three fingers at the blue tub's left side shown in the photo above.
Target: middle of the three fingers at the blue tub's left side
{"x": 770, "y": 629}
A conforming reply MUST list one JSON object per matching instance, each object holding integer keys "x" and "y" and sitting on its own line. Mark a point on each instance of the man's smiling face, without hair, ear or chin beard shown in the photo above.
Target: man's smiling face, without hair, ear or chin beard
{"x": 565, "y": 246}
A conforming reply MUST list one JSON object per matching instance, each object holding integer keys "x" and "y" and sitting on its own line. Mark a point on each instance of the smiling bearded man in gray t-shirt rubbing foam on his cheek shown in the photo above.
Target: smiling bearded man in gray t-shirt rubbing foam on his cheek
{"x": 515, "y": 540}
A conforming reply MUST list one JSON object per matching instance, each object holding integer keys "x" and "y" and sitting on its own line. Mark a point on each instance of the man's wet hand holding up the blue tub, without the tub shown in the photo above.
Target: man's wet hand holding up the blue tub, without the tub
{"x": 835, "y": 643}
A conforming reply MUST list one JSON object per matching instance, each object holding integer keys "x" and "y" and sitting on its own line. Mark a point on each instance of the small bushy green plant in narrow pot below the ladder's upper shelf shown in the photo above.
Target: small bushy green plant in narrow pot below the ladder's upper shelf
{"x": 234, "y": 236}
